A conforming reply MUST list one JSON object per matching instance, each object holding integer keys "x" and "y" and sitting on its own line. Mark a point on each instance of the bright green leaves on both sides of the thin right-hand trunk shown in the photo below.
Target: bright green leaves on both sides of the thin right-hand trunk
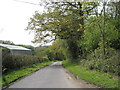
{"x": 94, "y": 30}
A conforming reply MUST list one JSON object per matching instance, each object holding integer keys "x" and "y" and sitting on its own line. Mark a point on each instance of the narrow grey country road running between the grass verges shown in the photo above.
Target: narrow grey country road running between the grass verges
{"x": 53, "y": 76}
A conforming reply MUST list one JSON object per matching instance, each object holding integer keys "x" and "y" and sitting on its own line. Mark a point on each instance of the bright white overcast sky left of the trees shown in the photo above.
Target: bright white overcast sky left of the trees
{"x": 14, "y": 17}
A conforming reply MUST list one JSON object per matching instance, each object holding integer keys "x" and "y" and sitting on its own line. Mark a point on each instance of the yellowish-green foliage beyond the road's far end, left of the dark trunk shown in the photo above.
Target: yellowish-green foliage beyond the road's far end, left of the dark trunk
{"x": 57, "y": 51}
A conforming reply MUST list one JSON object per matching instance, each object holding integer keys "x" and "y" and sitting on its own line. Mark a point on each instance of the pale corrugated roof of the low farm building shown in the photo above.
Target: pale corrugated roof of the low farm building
{"x": 13, "y": 47}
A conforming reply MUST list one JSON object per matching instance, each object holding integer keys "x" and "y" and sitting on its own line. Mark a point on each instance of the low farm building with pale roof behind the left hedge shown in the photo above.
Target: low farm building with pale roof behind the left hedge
{"x": 12, "y": 49}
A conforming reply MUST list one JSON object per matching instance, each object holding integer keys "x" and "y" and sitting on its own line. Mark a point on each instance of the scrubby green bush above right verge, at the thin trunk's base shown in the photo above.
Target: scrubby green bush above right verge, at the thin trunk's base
{"x": 111, "y": 62}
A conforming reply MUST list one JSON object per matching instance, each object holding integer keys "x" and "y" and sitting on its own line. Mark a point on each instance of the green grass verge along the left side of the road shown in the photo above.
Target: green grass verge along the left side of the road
{"x": 18, "y": 73}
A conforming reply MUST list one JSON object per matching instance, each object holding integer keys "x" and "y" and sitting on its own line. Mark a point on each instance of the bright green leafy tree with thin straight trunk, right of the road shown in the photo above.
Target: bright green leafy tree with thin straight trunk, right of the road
{"x": 99, "y": 29}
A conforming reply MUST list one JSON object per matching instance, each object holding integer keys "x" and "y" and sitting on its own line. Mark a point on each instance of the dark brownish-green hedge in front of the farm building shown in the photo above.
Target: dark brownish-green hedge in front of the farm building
{"x": 17, "y": 61}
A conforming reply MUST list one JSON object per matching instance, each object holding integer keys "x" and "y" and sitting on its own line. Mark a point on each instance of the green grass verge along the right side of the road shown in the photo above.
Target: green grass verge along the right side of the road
{"x": 104, "y": 80}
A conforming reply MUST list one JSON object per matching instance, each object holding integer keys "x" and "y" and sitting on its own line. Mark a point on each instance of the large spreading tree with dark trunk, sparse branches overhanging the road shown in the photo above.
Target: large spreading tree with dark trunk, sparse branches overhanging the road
{"x": 63, "y": 20}
